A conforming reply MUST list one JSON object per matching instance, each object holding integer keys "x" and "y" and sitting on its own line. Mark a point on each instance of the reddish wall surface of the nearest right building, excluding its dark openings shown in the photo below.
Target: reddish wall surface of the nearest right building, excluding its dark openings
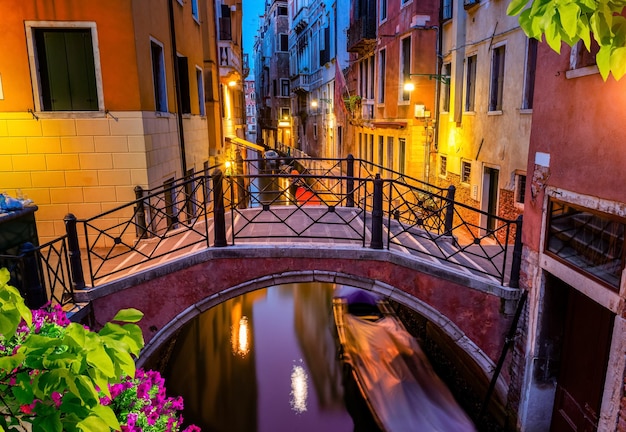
{"x": 575, "y": 156}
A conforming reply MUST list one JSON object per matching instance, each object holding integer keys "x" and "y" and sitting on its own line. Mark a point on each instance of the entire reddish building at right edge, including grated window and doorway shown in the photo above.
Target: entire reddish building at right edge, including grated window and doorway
{"x": 573, "y": 234}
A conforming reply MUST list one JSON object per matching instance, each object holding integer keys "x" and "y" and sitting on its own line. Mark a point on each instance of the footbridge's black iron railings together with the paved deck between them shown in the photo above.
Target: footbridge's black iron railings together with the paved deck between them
{"x": 289, "y": 199}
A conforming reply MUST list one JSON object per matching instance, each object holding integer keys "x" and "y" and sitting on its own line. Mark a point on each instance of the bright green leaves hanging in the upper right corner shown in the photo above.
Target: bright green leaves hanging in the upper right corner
{"x": 570, "y": 21}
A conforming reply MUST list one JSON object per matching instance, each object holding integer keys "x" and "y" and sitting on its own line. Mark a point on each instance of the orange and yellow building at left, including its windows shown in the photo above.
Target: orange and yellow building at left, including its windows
{"x": 99, "y": 97}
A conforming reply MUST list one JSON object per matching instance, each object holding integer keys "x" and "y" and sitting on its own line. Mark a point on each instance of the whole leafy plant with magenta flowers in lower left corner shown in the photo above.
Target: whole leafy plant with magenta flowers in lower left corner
{"x": 56, "y": 375}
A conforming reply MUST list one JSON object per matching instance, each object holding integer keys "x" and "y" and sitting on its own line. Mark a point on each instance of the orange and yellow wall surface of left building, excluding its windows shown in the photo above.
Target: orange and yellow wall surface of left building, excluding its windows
{"x": 86, "y": 162}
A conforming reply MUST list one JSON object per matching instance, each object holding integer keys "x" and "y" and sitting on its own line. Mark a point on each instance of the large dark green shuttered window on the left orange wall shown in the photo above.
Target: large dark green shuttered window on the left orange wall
{"x": 66, "y": 82}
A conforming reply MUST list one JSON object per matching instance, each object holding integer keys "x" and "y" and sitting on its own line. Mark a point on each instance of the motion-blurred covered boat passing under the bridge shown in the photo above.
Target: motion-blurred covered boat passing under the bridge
{"x": 390, "y": 369}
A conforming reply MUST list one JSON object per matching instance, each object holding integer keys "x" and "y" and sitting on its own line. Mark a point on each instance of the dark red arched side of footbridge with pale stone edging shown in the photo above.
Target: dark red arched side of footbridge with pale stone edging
{"x": 473, "y": 312}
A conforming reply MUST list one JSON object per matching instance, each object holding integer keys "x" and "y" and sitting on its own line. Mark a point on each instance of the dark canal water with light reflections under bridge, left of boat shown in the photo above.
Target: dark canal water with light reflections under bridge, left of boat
{"x": 265, "y": 361}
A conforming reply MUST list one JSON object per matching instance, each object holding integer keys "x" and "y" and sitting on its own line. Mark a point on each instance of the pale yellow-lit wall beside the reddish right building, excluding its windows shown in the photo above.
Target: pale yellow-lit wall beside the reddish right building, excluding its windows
{"x": 483, "y": 138}
